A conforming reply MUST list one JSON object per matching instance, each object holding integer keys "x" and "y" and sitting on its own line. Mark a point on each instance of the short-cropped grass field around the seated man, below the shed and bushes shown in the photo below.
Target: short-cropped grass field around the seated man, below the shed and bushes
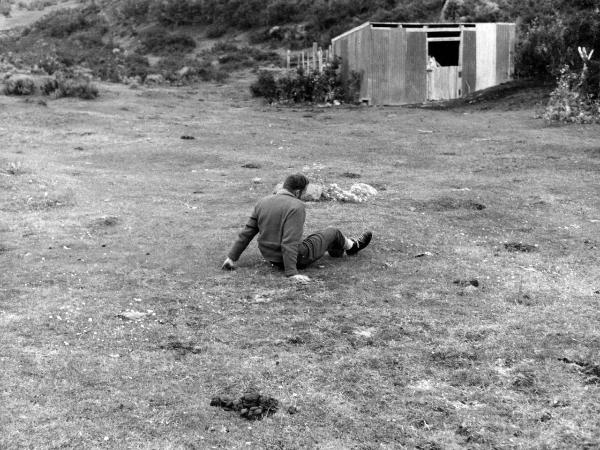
{"x": 105, "y": 210}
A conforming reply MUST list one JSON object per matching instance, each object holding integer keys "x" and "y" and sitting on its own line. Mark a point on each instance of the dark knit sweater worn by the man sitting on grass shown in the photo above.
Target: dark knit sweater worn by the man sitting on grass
{"x": 279, "y": 219}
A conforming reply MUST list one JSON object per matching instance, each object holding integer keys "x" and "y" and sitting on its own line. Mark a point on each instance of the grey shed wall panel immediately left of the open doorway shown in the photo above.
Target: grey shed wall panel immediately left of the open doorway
{"x": 416, "y": 67}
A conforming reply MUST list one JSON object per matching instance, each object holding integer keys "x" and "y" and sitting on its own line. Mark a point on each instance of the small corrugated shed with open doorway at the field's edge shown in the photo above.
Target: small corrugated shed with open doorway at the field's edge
{"x": 403, "y": 63}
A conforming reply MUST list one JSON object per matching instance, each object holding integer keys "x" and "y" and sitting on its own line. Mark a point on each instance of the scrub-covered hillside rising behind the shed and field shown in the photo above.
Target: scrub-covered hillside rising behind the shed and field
{"x": 175, "y": 35}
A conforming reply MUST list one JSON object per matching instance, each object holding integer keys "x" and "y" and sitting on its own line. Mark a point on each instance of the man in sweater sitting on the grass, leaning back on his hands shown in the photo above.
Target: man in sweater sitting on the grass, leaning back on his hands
{"x": 279, "y": 221}
